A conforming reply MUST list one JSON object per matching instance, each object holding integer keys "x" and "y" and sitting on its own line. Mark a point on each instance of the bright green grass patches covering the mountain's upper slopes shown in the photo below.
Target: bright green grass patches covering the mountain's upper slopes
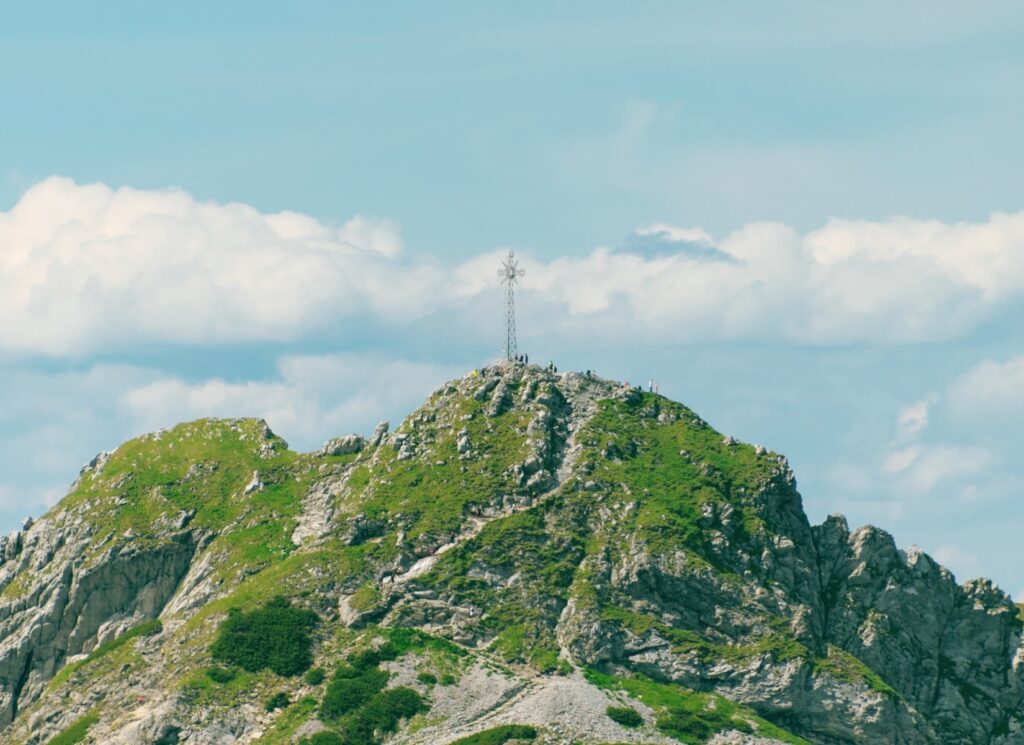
{"x": 203, "y": 467}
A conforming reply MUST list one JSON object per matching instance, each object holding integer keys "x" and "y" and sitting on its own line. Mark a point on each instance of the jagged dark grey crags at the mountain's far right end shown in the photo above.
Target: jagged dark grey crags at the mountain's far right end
{"x": 951, "y": 651}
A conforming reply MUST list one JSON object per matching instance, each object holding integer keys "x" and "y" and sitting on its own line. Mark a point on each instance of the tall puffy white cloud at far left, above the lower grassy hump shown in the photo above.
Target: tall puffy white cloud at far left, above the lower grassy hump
{"x": 88, "y": 267}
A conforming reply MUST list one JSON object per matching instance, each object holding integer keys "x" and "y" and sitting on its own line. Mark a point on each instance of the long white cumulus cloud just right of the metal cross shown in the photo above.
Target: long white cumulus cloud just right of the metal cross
{"x": 895, "y": 282}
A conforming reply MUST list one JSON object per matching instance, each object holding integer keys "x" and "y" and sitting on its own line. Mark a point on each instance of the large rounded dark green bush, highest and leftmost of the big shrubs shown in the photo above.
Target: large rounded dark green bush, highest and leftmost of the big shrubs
{"x": 275, "y": 637}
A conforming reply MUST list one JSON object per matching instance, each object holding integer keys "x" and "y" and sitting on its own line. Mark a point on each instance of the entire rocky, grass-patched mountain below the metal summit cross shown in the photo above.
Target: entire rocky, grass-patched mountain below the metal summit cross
{"x": 530, "y": 557}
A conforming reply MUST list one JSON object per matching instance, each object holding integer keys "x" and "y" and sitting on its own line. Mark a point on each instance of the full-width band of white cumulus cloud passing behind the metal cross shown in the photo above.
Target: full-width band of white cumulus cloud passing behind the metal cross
{"x": 90, "y": 268}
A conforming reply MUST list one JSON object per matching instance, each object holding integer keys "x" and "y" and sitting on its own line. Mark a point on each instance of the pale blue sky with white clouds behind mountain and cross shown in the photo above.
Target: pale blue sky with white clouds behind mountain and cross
{"x": 804, "y": 221}
